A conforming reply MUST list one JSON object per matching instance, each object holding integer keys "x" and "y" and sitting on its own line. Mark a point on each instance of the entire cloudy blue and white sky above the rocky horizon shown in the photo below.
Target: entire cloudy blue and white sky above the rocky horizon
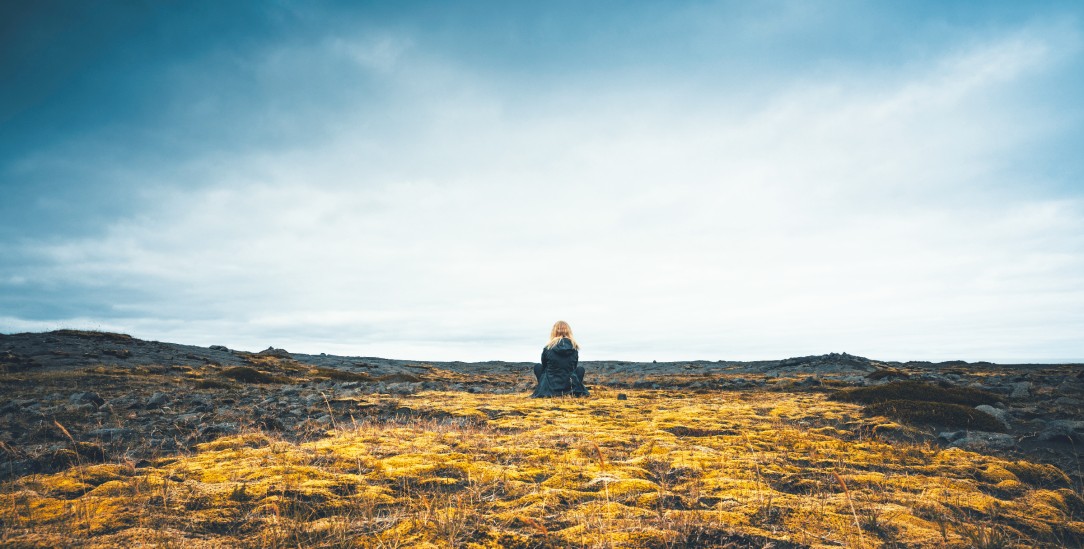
{"x": 444, "y": 181}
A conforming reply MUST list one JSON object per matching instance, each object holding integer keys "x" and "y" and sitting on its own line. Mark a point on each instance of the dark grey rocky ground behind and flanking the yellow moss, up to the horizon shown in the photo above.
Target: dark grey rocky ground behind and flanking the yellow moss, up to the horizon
{"x": 74, "y": 397}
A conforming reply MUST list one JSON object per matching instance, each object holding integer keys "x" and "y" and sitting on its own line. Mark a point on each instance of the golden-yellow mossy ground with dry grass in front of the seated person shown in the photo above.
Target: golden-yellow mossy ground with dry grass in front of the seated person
{"x": 660, "y": 469}
